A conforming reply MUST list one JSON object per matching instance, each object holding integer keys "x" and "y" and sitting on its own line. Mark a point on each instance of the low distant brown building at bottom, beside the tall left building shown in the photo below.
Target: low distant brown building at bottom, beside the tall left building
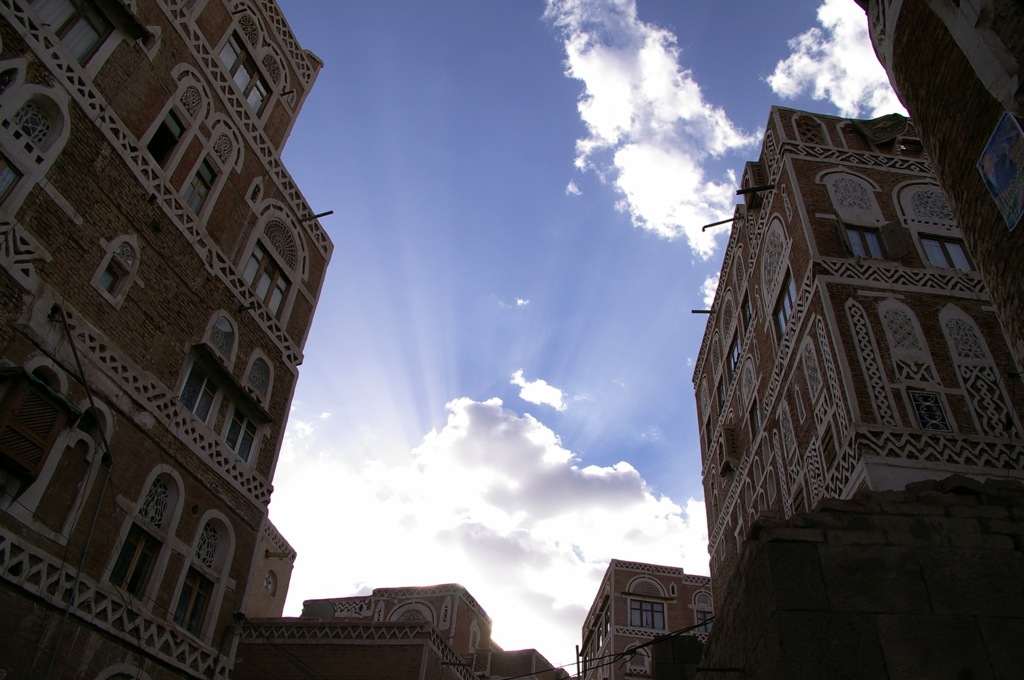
{"x": 436, "y": 632}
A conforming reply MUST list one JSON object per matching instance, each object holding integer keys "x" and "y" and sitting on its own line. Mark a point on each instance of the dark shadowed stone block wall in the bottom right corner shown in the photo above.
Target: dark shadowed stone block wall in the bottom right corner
{"x": 924, "y": 583}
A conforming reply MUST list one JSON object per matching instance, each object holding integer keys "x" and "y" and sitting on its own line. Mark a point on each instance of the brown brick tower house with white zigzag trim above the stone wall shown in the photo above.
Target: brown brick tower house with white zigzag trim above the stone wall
{"x": 851, "y": 344}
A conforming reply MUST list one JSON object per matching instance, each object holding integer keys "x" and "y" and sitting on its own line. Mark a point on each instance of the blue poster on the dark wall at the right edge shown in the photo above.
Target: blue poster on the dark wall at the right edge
{"x": 1002, "y": 166}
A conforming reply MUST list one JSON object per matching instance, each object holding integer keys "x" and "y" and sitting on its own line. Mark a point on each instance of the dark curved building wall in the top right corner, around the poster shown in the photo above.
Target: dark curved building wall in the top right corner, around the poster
{"x": 957, "y": 68}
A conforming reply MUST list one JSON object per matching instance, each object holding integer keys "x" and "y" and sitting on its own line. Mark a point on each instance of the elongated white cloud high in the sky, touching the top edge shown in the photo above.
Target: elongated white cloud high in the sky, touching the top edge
{"x": 650, "y": 130}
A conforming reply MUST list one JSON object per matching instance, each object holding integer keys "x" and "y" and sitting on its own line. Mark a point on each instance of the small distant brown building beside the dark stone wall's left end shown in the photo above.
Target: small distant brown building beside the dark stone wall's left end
{"x": 636, "y": 605}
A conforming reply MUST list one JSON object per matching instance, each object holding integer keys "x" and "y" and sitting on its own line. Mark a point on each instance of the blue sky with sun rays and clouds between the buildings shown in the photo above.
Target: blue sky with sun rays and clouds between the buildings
{"x": 497, "y": 391}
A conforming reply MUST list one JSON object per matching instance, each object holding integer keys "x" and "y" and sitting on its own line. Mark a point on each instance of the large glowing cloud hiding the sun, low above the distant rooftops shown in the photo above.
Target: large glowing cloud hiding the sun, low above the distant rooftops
{"x": 491, "y": 500}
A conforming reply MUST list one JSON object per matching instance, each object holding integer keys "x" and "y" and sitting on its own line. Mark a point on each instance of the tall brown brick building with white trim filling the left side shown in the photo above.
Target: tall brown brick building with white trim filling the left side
{"x": 160, "y": 272}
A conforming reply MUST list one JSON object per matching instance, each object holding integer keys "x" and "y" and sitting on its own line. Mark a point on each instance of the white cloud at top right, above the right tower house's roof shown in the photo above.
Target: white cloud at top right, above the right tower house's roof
{"x": 836, "y": 63}
